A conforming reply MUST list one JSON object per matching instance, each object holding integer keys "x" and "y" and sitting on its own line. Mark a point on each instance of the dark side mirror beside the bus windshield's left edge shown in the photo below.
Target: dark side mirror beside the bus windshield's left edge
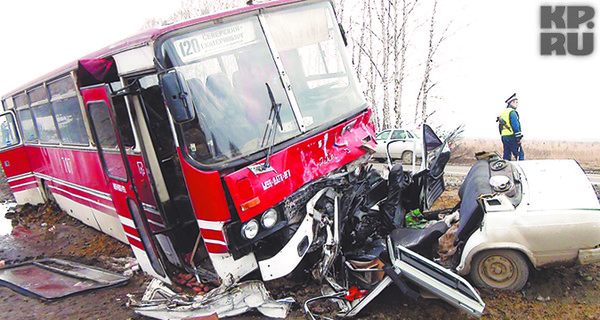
{"x": 177, "y": 95}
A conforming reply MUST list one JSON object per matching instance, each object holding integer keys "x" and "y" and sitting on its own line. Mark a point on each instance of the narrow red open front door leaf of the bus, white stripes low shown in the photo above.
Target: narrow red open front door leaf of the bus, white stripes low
{"x": 101, "y": 113}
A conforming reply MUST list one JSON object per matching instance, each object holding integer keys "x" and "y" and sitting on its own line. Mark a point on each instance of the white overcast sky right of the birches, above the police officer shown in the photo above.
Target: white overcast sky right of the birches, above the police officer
{"x": 498, "y": 53}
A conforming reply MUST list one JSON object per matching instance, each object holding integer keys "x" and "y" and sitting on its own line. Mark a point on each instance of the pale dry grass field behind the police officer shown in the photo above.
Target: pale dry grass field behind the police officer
{"x": 586, "y": 153}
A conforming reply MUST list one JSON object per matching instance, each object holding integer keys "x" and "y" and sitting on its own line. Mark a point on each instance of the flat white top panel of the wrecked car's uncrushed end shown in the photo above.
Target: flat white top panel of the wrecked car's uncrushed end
{"x": 556, "y": 185}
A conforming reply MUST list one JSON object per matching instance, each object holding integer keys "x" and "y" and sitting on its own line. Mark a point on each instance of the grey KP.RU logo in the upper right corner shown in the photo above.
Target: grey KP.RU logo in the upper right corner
{"x": 567, "y": 29}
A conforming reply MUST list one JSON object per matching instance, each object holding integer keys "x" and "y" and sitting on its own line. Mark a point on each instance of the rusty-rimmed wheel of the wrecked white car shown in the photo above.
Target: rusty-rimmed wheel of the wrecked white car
{"x": 500, "y": 269}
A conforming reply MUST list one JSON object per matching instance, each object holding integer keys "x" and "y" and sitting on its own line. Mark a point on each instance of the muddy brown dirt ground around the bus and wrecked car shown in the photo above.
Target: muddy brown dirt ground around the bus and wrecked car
{"x": 45, "y": 231}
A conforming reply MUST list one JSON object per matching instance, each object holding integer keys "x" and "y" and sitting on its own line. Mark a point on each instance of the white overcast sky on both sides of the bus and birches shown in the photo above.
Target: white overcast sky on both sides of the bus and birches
{"x": 495, "y": 54}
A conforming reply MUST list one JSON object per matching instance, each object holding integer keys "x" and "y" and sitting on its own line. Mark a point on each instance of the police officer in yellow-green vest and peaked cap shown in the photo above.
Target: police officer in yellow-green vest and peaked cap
{"x": 510, "y": 129}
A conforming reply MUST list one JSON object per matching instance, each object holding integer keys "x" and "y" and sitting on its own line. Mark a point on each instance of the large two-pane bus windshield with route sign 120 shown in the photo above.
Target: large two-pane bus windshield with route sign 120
{"x": 283, "y": 70}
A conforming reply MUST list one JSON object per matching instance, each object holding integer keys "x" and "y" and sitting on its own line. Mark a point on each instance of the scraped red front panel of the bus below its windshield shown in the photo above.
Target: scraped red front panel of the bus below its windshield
{"x": 293, "y": 167}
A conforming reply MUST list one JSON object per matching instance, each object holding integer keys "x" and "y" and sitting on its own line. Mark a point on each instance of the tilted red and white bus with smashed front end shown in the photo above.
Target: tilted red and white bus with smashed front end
{"x": 201, "y": 144}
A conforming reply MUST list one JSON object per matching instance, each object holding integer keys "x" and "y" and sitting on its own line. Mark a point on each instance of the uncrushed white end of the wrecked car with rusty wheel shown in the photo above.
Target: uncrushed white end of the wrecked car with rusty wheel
{"x": 527, "y": 213}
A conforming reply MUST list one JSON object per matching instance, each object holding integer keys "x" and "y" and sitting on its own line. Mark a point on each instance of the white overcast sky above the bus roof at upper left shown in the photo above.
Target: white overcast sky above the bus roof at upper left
{"x": 38, "y": 36}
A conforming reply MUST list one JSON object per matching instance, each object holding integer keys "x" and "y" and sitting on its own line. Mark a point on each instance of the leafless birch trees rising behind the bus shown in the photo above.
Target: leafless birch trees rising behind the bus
{"x": 393, "y": 45}
